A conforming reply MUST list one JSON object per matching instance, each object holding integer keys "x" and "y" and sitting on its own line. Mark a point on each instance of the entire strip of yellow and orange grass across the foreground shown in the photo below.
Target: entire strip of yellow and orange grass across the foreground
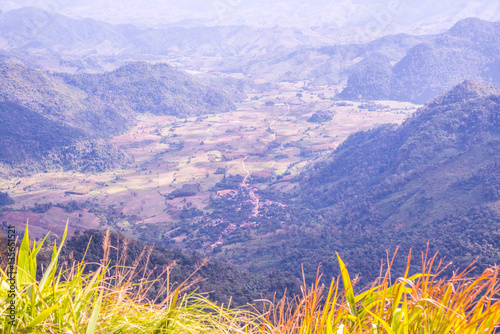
{"x": 113, "y": 300}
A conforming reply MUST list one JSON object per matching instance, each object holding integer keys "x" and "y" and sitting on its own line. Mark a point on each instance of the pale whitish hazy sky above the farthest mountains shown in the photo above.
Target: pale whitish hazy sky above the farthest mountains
{"x": 424, "y": 14}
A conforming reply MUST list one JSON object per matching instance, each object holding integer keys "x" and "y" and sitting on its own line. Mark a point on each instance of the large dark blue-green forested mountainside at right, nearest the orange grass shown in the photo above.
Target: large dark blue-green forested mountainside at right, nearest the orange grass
{"x": 435, "y": 178}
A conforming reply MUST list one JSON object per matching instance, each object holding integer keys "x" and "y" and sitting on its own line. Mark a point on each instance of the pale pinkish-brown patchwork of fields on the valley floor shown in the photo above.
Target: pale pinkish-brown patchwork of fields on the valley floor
{"x": 168, "y": 153}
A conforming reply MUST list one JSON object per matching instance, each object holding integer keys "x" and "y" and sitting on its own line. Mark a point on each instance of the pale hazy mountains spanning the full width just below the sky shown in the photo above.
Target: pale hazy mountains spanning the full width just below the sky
{"x": 397, "y": 67}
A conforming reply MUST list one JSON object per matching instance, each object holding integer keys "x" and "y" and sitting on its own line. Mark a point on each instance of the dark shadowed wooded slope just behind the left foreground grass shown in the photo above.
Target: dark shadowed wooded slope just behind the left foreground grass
{"x": 220, "y": 281}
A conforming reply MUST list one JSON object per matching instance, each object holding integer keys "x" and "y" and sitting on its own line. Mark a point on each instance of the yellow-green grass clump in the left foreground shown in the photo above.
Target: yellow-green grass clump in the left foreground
{"x": 69, "y": 301}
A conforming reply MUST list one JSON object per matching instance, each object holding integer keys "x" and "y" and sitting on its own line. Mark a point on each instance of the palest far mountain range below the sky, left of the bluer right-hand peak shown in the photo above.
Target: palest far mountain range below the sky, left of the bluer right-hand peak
{"x": 55, "y": 42}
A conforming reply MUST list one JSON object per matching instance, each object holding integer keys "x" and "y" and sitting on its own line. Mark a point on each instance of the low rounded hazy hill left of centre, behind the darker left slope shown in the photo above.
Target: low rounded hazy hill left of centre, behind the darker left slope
{"x": 158, "y": 89}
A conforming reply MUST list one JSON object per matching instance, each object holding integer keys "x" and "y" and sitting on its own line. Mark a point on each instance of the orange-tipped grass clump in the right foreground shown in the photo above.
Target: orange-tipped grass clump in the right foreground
{"x": 421, "y": 303}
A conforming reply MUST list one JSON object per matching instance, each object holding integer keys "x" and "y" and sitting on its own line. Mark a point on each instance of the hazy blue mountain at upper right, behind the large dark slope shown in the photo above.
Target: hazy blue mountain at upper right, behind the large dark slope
{"x": 470, "y": 49}
